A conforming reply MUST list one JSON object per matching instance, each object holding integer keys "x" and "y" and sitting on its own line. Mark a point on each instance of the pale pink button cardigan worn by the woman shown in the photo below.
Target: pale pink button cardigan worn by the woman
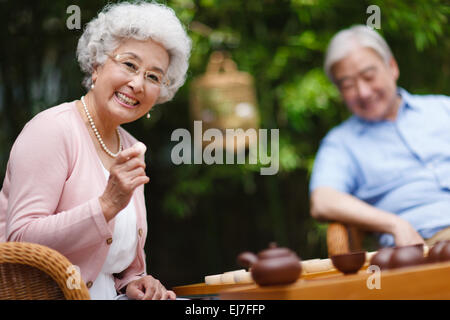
{"x": 50, "y": 193}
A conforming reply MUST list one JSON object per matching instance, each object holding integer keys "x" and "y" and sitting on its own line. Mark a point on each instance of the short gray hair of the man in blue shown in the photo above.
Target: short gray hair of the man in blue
{"x": 348, "y": 39}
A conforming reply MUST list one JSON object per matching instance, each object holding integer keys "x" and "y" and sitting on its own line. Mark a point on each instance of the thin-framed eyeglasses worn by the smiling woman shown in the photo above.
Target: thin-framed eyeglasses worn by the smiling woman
{"x": 129, "y": 65}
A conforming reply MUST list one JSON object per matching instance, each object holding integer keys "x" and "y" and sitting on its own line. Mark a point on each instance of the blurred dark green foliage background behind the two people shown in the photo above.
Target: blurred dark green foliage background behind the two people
{"x": 202, "y": 216}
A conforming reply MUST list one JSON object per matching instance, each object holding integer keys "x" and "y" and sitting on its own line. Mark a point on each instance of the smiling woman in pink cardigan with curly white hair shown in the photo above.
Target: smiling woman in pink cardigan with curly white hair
{"x": 75, "y": 179}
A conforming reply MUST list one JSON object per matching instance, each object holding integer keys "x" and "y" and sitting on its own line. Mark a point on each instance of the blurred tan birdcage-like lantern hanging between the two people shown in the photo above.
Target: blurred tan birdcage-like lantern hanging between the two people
{"x": 224, "y": 98}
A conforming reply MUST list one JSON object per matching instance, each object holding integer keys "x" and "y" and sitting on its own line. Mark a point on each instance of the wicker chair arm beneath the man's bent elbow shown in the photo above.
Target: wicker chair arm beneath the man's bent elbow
{"x": 342, "y": 238}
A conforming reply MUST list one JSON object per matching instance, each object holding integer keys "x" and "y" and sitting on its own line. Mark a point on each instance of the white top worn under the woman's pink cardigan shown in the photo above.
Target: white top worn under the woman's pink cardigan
{"x": 121, "y": 253}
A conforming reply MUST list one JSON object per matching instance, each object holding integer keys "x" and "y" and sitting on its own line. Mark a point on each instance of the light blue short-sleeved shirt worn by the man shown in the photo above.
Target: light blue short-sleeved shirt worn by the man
{"x": 401, "y": 166}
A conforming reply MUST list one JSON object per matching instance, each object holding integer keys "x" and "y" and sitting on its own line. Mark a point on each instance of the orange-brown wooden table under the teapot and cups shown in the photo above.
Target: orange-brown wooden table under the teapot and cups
{"x": 431, "y": 281}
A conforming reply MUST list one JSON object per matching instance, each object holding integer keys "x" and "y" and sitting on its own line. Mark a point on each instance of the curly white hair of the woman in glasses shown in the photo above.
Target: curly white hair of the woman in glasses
{"x": 140, "y": 21}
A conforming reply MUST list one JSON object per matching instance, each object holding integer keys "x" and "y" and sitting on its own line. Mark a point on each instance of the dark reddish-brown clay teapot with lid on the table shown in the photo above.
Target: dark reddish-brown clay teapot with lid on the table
{"x": 273, "y": 266}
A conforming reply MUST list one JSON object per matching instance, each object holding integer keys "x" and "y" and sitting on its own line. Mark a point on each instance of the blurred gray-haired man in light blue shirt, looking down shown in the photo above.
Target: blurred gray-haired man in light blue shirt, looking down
{"x": 387, "y": 168}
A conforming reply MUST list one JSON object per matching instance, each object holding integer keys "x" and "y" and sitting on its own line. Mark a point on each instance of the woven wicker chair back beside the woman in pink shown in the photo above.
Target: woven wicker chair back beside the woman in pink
{"x": 30, "y": 271}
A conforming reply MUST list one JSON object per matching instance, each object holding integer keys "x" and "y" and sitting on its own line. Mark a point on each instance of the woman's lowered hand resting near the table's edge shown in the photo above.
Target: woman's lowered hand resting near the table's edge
{"x": 148, "y": 288}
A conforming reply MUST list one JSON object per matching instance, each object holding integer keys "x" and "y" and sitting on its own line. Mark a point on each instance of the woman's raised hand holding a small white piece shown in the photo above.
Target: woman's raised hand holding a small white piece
{"x": 126, "y": 174}
